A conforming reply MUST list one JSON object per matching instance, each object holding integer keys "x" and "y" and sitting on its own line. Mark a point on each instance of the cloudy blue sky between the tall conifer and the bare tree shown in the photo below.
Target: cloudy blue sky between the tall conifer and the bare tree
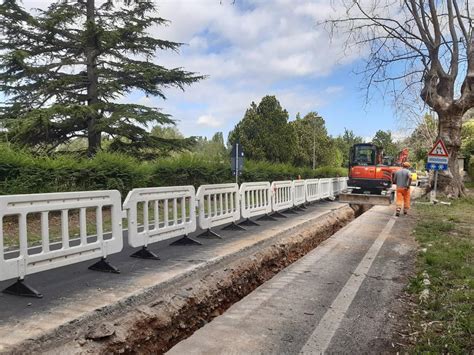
{"x": 257, "y": 47}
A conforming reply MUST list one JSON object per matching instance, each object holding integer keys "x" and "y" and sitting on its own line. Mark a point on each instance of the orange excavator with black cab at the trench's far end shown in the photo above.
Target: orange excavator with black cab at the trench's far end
{"x": 370, "y": 175}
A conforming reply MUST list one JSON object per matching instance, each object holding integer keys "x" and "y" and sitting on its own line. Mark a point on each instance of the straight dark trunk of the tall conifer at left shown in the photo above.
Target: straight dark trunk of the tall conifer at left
{"x": 93, "y": 134}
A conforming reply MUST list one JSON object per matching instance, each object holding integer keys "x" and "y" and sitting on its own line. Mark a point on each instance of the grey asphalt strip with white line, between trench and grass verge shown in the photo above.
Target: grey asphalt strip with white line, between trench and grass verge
{"x": 336, "y": 299}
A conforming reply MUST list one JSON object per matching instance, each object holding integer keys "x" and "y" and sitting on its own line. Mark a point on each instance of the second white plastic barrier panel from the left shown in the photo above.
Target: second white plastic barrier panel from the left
{"x": 160, "y": 213}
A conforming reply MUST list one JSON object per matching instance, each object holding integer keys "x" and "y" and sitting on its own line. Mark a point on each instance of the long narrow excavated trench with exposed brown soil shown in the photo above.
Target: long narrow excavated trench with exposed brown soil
{"x": 174, "y": 314}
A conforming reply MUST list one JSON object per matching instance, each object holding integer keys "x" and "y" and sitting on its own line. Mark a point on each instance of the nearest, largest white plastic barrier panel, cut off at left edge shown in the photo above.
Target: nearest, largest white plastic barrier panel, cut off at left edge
{"x": 75, "y": 241}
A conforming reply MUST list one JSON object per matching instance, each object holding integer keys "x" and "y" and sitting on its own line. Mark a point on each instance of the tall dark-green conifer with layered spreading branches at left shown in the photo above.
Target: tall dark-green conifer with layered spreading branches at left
{"x": 63, "y": 70}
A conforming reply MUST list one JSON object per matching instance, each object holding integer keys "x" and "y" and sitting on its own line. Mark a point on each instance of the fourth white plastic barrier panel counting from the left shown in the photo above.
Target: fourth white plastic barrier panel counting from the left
{"x": 255, "y": 199}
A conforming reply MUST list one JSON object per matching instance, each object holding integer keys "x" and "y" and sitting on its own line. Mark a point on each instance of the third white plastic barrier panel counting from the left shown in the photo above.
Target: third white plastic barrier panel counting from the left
{"x": 218, "y": 204}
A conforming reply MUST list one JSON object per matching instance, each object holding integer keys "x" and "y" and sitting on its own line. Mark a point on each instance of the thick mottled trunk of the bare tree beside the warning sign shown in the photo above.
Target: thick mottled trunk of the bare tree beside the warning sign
{"x": 449, "y": 130}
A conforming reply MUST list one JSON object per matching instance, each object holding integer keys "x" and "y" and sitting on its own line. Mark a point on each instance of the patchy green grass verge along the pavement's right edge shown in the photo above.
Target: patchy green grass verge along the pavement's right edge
{"x": 444, "y": 321}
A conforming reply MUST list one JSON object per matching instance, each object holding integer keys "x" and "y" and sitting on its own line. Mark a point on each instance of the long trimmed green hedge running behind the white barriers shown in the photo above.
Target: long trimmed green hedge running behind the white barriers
{"x": 22, "y": 173}
